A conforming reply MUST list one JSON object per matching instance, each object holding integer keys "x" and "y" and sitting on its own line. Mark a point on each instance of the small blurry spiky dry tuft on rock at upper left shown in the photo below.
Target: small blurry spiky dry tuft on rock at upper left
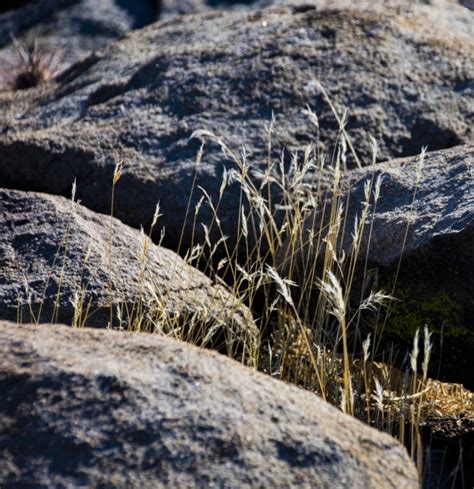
{"x": 29, "y": 67}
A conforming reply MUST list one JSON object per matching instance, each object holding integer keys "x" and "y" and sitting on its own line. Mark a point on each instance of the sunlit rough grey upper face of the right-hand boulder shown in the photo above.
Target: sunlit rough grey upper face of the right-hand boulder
{"x": 443, "y": 205}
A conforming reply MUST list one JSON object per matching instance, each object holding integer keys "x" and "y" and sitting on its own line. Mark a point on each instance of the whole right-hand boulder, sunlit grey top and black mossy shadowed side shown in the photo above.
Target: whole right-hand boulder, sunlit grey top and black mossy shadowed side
{"x": 436, "y": 277}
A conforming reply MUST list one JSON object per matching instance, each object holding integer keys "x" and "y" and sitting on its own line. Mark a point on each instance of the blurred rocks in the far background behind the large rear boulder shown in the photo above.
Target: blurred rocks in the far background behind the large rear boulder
{"x": 78, "y": 27}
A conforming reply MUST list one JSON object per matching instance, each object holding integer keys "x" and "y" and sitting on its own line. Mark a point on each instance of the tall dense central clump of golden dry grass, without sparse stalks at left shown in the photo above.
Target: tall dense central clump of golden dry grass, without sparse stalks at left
{"x": 294, "y": 258}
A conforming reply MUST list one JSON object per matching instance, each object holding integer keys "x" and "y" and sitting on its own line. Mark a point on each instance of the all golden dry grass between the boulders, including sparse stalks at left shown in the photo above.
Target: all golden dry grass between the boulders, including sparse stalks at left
{"x": 287, "y": 265}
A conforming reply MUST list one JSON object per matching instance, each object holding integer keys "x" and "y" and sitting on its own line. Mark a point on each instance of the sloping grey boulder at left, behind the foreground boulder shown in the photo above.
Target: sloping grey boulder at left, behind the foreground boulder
{"x": 47, "y": 249}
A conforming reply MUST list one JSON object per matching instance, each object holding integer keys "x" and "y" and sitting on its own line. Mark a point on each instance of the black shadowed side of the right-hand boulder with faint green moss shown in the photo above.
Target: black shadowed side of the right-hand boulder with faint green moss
{"x": 434, "y": 288}
